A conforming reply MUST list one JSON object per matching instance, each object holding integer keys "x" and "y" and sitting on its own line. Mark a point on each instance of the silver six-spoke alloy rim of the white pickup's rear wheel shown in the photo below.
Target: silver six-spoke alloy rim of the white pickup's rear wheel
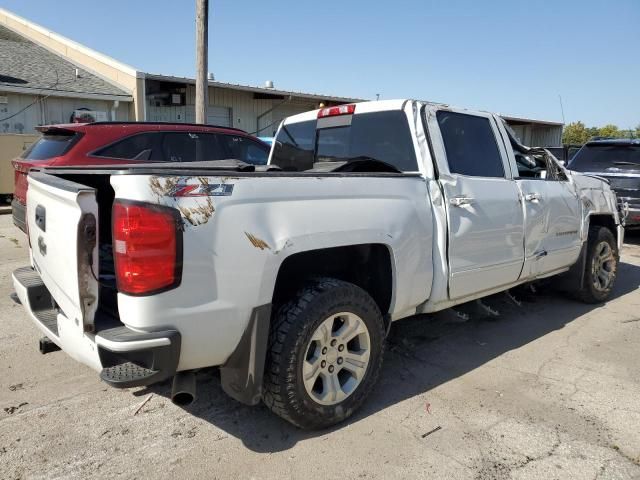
{"x": 337, "y": 358}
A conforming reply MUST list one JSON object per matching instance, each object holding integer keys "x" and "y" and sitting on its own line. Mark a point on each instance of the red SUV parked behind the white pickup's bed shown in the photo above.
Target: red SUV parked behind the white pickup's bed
{"x": 108, "y": 143}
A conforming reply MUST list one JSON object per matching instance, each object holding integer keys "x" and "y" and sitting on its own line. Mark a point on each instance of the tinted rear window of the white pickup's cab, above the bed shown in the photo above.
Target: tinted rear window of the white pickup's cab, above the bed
{"x": 382, "y": 136}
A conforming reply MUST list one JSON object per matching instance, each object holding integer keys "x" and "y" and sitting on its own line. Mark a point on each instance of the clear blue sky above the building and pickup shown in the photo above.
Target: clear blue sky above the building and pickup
{"x": 513, "y": 57}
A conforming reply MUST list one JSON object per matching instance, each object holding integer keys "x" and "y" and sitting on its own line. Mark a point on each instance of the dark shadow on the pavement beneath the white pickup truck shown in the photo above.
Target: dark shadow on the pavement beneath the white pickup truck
{"x": 422, "y": 353}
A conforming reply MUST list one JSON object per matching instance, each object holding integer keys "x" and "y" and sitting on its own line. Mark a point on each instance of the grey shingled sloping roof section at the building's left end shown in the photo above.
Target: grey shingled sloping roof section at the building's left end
{"x": 29, "y": 68}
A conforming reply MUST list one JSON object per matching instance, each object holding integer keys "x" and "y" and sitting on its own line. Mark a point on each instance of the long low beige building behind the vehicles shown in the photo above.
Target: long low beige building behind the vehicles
{"x": 46, "y": 78}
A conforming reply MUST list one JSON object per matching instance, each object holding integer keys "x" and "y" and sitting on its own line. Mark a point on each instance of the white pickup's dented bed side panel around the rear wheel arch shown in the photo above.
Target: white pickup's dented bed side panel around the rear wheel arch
{"x": 236, "y": 242}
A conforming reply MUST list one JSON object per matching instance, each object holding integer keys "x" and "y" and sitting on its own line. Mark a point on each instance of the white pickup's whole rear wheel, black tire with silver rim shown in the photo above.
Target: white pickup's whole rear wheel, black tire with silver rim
{"x": 325, "y": 354}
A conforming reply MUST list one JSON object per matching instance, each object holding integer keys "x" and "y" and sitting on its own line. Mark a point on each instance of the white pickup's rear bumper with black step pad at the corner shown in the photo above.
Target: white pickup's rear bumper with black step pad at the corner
{"x": 124, "y": 357}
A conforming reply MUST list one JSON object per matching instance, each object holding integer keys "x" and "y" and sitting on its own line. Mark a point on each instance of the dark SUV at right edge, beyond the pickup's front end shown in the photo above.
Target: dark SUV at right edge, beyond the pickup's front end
{"x": 617, "y": 160}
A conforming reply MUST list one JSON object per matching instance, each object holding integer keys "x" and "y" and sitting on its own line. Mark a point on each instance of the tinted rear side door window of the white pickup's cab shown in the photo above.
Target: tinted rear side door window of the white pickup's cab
{"x": 470, "y": 145}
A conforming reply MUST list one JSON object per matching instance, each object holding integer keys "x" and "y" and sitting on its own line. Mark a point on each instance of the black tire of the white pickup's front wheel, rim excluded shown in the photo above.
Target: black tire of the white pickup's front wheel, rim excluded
{"x": 589, "y": 293}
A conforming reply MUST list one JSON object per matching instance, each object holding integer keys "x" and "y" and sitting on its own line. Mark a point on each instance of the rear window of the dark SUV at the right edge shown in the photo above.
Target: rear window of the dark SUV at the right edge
{"x": 594, "y": 157}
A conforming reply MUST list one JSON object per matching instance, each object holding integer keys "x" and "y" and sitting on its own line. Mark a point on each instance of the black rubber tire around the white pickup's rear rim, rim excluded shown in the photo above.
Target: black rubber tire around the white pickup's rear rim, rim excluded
{"x": 291, "y": 331}
